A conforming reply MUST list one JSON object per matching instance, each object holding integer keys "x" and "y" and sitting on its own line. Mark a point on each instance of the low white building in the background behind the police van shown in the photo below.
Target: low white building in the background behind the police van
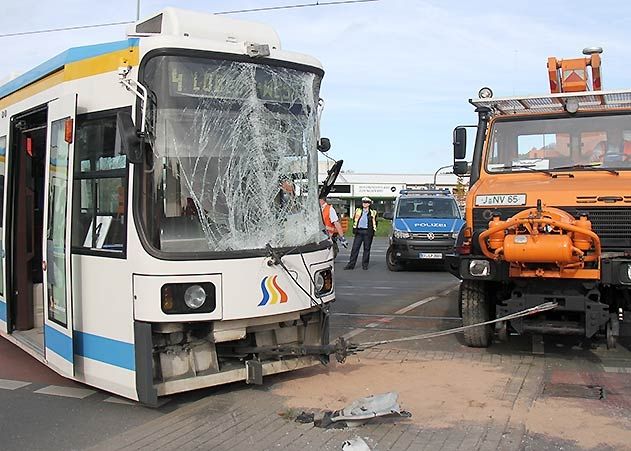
{"x": 383, "y": 189}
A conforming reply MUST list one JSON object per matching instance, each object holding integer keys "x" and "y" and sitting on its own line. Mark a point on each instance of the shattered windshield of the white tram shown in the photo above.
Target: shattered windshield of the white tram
{"x": 234, "y": 156}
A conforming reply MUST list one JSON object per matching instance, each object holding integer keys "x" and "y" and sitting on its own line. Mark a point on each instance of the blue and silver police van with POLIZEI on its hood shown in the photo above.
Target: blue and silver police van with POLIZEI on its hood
{"x": 425, "y": 225}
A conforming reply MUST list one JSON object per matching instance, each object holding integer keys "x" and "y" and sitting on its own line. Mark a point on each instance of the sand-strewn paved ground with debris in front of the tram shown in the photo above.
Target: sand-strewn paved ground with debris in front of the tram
{"x": 459, "y": 401}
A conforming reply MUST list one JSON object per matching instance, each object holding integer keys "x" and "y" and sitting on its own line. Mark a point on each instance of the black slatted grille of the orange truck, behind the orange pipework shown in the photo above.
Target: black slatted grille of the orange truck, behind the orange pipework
{"x": 613, "y": 225}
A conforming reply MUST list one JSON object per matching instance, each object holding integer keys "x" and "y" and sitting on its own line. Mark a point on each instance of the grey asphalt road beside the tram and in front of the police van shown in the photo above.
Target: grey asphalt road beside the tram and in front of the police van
{"x": 373, "y": 304}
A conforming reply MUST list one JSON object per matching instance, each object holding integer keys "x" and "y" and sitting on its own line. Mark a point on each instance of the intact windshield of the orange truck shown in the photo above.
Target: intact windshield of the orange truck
{"x": 582, "y": 143}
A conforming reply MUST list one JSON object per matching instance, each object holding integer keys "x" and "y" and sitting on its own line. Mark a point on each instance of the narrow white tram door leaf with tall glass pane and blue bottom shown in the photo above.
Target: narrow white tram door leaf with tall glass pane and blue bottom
{"x": 58, "y": 336}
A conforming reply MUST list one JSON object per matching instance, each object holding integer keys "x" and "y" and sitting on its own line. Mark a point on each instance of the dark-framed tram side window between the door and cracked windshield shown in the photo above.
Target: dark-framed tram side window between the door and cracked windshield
{"x": 100, "y": 187}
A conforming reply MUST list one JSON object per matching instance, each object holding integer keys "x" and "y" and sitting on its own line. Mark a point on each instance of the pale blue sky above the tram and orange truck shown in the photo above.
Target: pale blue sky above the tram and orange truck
{"x": 398, "y": 73}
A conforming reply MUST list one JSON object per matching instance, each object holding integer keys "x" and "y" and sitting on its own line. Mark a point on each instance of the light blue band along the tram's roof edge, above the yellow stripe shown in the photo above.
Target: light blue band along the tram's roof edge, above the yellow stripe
{"x": 58, "y": 62}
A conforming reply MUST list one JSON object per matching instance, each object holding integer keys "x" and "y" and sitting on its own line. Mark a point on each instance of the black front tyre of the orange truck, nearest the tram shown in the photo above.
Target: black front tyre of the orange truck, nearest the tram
{"x": 475, "y": 309}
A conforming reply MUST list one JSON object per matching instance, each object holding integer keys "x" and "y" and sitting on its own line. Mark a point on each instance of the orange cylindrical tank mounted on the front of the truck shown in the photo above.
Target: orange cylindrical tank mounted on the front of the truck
{"x": 538, "y": 249}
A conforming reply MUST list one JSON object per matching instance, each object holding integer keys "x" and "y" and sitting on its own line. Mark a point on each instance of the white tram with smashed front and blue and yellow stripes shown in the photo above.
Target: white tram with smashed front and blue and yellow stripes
{"x": 161, "y": 230}
